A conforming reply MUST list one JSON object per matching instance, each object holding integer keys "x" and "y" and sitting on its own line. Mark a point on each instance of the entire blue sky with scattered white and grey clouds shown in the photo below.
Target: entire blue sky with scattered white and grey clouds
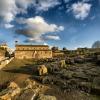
{"x": 63, "y": 23}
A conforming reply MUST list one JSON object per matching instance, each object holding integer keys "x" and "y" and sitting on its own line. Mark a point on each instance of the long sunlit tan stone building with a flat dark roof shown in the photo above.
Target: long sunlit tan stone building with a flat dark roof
{"x": 32, "y": 52}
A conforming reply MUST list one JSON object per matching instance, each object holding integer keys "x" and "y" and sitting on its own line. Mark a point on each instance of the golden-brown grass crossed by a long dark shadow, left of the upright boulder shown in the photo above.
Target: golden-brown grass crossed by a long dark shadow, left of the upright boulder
{"x": 16, "y": 69}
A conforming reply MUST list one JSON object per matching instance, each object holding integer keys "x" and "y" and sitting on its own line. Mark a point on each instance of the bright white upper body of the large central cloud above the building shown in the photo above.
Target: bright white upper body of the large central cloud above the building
{"x": 39, "y": 26}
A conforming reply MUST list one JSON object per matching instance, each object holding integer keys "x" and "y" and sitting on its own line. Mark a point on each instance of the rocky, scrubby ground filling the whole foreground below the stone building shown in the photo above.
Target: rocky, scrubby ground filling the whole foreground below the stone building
{"x": 65, "y": 79}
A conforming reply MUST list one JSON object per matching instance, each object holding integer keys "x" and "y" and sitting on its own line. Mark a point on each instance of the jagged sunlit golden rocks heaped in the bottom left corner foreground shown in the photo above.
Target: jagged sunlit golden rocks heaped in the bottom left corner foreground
{"x": 31, "y": 91}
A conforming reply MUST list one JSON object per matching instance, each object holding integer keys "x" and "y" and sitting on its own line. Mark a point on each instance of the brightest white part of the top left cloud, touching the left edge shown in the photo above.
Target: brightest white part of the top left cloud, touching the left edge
{"x": 8, "y": 10}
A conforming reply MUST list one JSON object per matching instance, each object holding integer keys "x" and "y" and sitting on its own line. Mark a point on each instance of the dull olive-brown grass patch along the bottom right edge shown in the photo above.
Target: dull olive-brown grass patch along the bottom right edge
{"x": 73, "y": 95}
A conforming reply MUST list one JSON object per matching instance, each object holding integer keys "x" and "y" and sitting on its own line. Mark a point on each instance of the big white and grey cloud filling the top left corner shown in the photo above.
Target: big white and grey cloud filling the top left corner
{"x": 9, "y": 9}
